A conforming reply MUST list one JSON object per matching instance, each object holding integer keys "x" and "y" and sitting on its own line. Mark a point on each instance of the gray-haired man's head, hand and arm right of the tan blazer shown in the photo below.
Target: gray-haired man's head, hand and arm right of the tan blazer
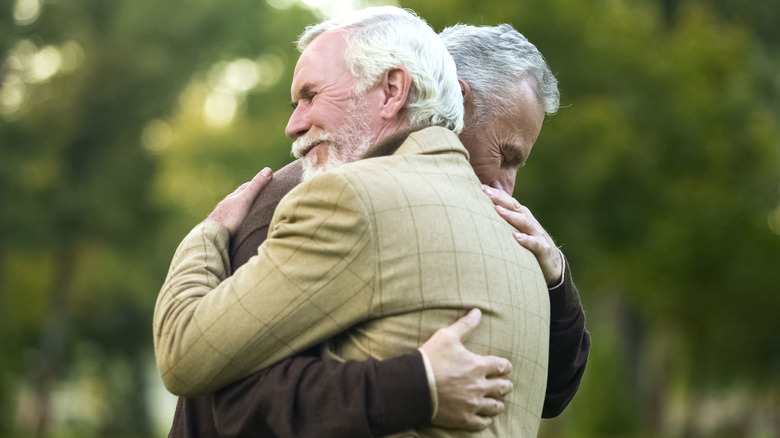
{"x": 507, "y": 90}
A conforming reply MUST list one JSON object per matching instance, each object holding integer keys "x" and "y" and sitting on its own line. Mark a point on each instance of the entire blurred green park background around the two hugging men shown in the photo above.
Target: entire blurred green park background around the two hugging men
{"x": 122, "y": 123}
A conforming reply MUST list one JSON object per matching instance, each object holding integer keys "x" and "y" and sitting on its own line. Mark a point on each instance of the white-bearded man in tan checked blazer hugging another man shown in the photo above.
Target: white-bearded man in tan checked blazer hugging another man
{"x": 336, "y": 120}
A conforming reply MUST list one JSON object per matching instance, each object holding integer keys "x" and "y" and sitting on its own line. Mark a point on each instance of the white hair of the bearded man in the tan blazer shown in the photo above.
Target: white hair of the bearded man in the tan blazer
{"x": 384, "y": 37}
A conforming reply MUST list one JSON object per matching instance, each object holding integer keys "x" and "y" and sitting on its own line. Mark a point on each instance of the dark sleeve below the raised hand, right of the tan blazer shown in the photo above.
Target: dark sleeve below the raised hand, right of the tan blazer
{"x": 569, "y": 346}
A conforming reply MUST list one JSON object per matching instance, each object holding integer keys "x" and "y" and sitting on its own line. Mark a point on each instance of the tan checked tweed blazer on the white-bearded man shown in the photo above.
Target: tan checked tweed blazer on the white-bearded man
{"x": 371, "y": 257}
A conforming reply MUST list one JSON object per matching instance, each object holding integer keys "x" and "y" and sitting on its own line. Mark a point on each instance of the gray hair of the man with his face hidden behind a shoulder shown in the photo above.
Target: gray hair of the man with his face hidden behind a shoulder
{"x": 492, "y": 59}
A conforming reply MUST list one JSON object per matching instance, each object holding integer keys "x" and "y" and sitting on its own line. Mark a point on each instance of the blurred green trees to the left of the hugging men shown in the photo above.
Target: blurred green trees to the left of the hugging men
{"x": 89, "y": 93}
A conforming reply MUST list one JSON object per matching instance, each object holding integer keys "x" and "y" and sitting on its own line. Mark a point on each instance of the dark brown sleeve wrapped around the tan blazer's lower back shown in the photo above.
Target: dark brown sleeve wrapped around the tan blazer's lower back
{"x": 305, "y": 396}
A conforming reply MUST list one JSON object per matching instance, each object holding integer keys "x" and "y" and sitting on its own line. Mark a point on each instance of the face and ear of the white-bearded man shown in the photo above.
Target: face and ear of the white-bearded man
{"x": 332, "y": 124}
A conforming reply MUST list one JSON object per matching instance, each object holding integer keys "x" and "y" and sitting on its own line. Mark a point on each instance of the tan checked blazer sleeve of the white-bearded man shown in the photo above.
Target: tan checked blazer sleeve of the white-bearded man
{"x": 312, "y": 279}
